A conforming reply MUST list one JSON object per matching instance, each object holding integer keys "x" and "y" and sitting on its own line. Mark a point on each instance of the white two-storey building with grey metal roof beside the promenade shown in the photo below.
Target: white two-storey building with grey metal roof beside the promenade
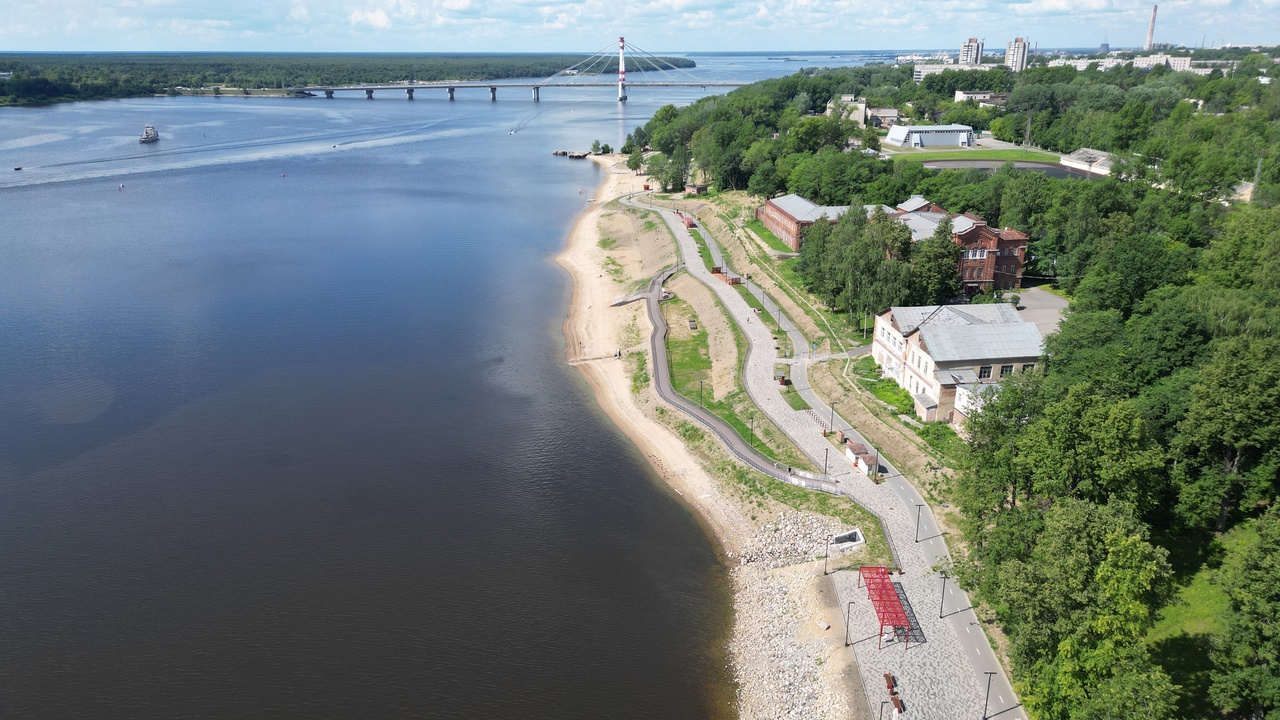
{"x": 935, "y": 350}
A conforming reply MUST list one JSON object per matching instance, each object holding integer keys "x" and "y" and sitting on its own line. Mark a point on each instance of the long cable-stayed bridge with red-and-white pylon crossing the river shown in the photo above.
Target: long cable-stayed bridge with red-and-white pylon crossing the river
{"x": 586, "y": 74}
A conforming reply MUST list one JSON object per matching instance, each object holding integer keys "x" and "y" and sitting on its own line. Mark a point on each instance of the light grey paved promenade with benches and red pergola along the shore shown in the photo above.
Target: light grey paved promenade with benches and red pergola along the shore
{"x": 945, "y": 676}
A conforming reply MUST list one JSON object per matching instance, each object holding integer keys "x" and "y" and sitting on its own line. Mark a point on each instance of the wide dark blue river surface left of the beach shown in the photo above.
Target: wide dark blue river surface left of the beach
{"x": 286, "y": 427}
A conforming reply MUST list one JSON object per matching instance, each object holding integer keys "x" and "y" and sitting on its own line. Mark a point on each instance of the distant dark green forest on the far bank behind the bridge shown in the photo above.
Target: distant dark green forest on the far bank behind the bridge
{"x": 51, "y": 78}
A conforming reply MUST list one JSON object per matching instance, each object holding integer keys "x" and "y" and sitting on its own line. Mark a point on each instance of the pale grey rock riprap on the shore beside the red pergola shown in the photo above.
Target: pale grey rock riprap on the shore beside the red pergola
{"x": 779, "y": 649}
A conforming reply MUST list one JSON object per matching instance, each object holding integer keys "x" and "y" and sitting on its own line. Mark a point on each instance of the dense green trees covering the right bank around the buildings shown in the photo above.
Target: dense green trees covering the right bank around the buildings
{"x": 1098, "y": 489}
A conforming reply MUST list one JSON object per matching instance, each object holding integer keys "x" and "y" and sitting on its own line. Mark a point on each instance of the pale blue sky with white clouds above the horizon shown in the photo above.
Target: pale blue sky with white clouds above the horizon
{"x": 440, "y": 26}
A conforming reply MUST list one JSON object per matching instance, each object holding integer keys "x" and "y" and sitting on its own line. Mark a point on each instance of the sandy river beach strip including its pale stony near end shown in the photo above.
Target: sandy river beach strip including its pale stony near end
{"x": 788, "y": 645}
